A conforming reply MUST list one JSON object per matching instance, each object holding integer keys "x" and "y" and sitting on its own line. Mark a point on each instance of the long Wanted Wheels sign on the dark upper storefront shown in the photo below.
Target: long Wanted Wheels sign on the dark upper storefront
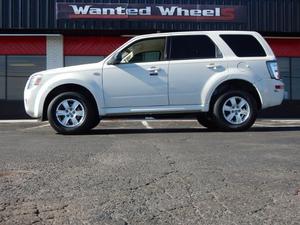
{"x": 206, "y": 13}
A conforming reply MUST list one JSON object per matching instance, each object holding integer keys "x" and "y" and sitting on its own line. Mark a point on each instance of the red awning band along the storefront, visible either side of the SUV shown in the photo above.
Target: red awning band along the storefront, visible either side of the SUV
{"x": 102, "y": 46}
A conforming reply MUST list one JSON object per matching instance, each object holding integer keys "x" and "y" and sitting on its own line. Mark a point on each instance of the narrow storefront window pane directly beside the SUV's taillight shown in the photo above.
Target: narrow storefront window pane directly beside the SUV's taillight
{"x": 285, "y": 73}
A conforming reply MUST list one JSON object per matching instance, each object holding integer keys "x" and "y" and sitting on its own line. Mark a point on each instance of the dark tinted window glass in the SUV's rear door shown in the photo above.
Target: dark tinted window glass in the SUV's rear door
{"x": 193, "y": 47}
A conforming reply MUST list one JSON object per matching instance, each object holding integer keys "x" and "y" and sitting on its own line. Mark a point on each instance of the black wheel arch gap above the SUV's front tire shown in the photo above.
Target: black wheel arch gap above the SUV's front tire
{"x": 66, "y": 88}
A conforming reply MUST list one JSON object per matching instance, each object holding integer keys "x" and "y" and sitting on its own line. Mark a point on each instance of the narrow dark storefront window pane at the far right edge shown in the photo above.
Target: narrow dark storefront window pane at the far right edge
{"x": 295, "y": 74}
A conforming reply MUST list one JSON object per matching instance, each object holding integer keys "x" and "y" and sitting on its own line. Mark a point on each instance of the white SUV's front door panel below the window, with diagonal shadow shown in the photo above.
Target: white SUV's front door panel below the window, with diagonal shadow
{"x": 136, "y": 84}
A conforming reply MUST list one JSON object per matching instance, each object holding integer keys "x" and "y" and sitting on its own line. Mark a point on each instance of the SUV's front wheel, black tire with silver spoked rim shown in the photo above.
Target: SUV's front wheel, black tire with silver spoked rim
{"x": 87, "y": 121}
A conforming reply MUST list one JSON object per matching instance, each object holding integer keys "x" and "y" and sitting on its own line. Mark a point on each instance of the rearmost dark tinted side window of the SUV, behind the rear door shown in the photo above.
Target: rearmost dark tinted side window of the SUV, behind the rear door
{"x": 244, "y": 45}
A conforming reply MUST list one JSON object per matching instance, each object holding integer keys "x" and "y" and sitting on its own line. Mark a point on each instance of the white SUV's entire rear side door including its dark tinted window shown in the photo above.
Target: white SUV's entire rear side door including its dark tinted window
{"x": 195, "y": 58}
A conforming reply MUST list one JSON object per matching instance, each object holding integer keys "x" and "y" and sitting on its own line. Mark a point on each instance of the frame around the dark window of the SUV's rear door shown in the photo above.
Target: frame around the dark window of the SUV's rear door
{"x": 205, "y": 35}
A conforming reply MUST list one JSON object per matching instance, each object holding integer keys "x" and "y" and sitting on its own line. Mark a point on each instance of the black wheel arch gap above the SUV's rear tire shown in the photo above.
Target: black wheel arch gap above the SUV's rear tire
{"x": 238, "y": 84}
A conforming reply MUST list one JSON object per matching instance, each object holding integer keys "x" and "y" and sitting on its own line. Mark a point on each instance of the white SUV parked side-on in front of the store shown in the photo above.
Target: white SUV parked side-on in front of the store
{"x": 222, "y": 77}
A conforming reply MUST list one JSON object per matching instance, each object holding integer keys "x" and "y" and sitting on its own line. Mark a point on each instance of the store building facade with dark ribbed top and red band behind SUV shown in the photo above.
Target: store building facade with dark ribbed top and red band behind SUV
{"x": 44, "y": 34}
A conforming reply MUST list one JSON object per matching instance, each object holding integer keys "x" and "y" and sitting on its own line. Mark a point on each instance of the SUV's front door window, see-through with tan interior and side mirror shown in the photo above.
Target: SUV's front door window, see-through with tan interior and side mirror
{"x": 149, "y": 50}
